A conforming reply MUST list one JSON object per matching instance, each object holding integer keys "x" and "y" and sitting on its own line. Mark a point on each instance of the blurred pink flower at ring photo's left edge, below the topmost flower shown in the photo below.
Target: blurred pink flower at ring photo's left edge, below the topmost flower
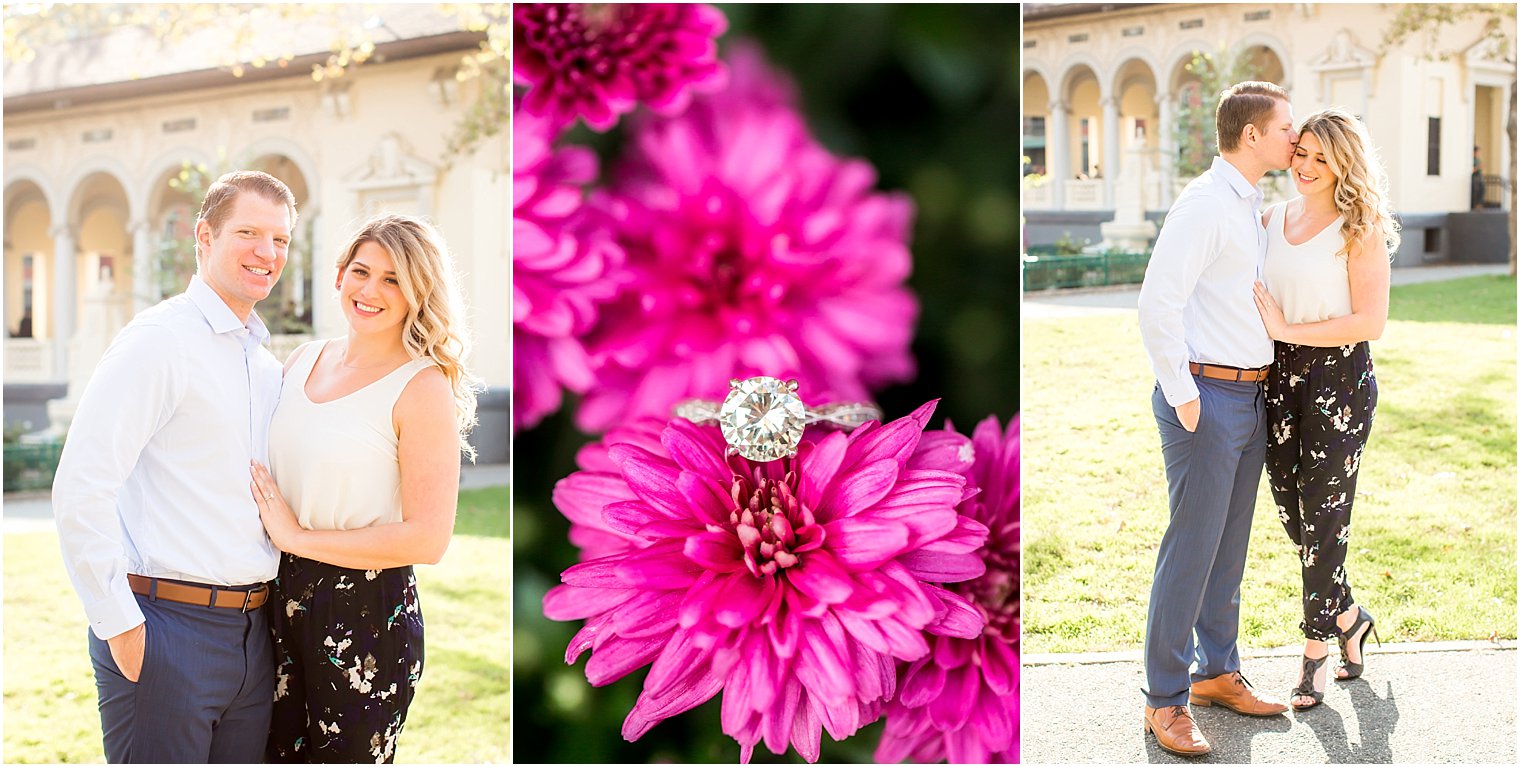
{"x": 565, "y": 264}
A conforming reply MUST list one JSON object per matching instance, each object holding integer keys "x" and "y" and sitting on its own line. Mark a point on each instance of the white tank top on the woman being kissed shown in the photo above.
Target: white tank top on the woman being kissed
{"x": 1309, "y": 280}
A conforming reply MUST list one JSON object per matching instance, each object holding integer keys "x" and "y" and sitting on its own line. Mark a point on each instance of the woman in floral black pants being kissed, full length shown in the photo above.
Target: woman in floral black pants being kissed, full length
{"x": 1326, "y": 297}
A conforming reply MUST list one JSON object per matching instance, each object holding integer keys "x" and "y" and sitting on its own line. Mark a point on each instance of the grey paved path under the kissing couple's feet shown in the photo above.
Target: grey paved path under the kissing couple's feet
{"x": 1449, "y": 702}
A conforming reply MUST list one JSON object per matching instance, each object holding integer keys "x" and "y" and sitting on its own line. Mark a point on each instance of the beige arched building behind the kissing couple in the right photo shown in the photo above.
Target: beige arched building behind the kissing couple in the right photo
{"x": 1103, "y": 86}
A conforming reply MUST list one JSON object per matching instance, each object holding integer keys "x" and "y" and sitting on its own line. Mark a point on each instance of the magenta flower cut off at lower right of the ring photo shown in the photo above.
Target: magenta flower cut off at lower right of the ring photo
{"x": 961, "y": 702}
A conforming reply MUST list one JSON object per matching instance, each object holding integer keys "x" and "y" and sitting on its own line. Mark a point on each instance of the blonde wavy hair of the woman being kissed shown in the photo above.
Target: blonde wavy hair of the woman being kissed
{"x": 1361, "y": 186}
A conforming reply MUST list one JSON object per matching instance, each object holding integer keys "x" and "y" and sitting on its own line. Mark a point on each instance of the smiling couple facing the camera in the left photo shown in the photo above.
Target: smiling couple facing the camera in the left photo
{"x": 235, "y": 619}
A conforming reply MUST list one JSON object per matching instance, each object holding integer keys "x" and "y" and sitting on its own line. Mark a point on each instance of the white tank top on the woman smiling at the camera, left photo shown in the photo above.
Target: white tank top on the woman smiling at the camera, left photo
{"x": 337, "y": 462}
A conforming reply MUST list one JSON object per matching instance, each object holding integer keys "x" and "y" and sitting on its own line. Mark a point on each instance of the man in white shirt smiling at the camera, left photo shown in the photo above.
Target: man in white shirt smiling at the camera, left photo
{"x": 156, "y": 519}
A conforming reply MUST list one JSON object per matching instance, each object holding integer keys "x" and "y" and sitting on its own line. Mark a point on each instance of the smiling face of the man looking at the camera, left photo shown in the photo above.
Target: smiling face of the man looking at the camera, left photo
{"x": 244, "y": 260}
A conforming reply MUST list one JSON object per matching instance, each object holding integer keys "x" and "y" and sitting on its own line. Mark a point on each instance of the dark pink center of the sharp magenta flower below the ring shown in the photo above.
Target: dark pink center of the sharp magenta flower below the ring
{"x": 773, "y": 526}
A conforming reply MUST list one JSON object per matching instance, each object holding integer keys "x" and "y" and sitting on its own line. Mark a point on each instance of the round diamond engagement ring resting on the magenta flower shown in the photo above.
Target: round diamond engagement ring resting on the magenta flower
{"x": 762, "y": 418}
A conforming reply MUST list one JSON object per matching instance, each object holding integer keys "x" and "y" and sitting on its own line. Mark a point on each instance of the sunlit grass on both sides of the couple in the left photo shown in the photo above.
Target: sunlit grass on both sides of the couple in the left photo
{"x": 461, "y": 709}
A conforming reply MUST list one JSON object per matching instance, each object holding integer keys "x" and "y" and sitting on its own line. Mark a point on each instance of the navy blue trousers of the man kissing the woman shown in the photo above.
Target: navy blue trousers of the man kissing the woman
{"x": 1212, "y": 476}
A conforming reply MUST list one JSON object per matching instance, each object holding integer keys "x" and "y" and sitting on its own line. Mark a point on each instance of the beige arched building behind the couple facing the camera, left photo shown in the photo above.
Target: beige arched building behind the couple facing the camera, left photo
{"x": 98, "y": 130}
